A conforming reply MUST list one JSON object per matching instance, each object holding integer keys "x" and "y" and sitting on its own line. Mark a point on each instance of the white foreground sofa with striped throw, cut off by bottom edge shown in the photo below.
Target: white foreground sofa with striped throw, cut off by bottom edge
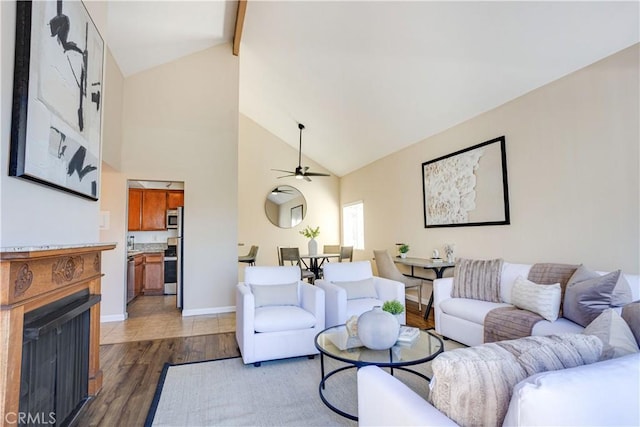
{"x": 600, "y": 394}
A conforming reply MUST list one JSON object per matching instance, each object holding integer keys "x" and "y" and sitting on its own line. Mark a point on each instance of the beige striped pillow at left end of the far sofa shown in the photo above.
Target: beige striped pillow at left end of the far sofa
{"x": 477, "y": 279}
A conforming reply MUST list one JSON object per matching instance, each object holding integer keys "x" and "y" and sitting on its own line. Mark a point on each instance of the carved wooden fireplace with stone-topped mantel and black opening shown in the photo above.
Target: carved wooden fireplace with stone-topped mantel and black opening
{"x": 49, "y": 332}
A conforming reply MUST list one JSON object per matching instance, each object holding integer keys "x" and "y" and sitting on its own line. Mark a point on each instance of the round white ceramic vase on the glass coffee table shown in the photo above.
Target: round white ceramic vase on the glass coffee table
{"x": 378, "y": 329}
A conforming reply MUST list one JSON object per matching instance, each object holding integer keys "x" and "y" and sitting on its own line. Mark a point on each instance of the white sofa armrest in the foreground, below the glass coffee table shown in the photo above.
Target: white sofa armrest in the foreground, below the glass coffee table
{"x": 385, "y": 401}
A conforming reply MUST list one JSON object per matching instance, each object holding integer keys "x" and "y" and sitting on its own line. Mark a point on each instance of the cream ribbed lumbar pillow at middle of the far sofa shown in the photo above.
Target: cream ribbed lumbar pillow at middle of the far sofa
{"x": 541, "y": 299}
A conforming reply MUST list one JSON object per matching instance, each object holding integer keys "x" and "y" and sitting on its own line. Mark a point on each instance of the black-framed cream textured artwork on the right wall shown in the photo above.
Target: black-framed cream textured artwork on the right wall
{"x": 468, "y": 187}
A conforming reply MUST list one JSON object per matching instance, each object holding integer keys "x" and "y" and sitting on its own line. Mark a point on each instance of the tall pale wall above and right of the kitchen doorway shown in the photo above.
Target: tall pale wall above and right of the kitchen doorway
{"x": 180, "y": 123}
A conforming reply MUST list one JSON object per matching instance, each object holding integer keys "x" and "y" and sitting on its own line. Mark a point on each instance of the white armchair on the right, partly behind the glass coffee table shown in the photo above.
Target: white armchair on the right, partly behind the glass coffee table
{"x": 351, "y": 289}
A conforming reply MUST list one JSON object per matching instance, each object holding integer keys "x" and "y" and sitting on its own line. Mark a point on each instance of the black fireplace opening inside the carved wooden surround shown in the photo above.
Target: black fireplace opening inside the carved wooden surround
{"x": 55, "y": 361}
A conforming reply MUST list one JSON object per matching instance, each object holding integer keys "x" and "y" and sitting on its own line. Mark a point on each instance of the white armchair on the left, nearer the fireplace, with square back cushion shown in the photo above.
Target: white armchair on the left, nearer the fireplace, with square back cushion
{"x": 277, "y": 315}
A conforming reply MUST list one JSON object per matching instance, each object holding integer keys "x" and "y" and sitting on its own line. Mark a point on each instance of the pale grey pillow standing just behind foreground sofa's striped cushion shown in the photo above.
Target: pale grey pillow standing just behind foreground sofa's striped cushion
{"x": 615, "y": 334}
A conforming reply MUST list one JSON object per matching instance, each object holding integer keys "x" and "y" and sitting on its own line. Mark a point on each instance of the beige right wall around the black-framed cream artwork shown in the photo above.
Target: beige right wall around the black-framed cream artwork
{"x": 572, "y": 157}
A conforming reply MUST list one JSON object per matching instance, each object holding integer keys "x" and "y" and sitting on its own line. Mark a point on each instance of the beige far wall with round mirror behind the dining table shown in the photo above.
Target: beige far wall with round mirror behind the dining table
{"x": 259, "y": 152}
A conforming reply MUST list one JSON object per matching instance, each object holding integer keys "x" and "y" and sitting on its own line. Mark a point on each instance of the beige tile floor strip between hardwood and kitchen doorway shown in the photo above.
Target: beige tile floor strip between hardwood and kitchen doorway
{"x": 156, "y": 317}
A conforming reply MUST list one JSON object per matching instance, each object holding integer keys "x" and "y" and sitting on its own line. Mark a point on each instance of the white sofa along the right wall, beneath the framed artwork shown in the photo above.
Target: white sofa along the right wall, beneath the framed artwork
{"x": 462, "y": 319}
